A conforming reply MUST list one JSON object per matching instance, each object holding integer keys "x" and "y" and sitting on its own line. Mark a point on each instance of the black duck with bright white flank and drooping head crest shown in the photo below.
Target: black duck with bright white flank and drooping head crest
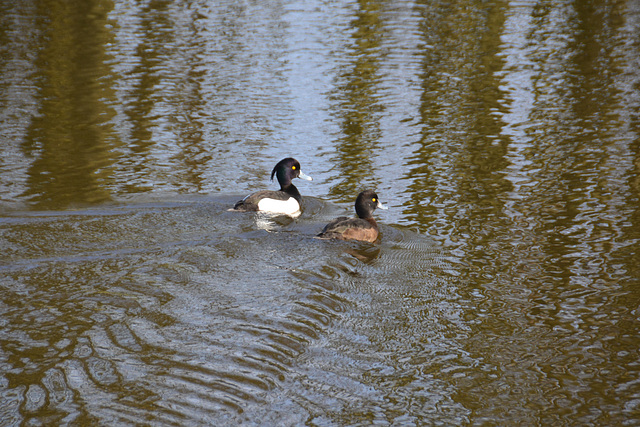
{"x": 286, "y": 201}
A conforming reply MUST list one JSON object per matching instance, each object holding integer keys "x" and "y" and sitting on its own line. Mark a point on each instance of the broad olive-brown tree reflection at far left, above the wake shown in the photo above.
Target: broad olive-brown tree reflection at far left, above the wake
{"x": 71, "y": 136}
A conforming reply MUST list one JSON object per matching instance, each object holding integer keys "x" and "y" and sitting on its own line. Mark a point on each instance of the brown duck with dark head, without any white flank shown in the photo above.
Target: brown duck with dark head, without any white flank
{"x": 363, "y": 227}
